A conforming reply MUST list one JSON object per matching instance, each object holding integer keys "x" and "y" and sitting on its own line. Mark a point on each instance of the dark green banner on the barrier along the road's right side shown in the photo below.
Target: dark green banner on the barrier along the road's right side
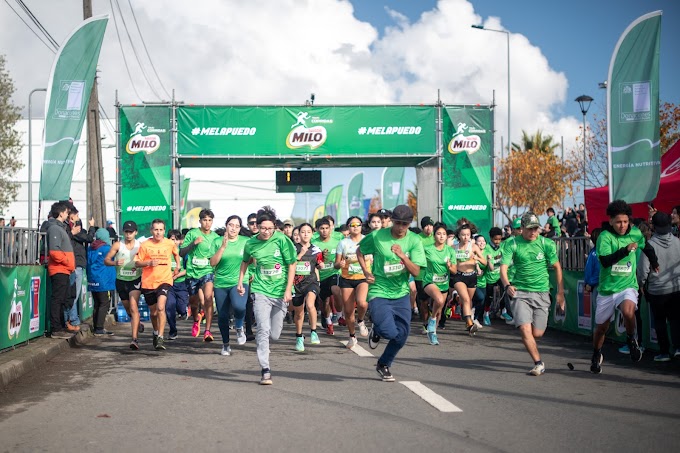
{"x": 579, "y": 316}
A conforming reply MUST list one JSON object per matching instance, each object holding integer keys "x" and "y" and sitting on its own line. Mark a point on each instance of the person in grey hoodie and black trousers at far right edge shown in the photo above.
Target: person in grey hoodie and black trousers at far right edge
{"x": 662, "y": 286}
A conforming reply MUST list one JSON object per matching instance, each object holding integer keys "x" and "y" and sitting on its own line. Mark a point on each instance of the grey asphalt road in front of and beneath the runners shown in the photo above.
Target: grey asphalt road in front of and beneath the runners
{"x": 104, "y": 397}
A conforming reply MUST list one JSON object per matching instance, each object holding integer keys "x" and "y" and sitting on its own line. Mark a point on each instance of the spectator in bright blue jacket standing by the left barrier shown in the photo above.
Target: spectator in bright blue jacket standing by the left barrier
{"x": 100, "y": 279}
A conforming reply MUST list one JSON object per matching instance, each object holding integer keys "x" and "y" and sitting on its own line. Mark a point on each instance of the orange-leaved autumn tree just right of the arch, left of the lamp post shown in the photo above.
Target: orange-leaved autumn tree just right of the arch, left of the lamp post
{"x": 533, "y": 179}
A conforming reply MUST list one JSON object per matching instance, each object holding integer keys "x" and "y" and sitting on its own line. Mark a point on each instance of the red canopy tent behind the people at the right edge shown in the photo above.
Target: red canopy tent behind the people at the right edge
{"x": 667, "y": 197}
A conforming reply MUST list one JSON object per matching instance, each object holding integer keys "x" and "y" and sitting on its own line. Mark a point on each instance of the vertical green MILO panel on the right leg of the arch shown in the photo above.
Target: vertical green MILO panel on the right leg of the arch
{"x": 467, "y": 165}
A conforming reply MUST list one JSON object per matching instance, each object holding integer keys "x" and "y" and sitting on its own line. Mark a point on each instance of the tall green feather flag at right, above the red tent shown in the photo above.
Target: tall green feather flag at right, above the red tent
{"x": 633, "y": 112}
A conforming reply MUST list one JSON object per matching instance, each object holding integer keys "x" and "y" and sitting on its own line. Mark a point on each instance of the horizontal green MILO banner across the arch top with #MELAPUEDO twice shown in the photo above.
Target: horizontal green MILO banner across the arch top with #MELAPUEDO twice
{"x": 347, "y": 131}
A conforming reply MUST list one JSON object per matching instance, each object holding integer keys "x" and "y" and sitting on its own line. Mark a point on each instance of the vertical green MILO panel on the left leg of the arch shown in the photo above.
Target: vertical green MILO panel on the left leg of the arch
{"x": 145, "y": 166}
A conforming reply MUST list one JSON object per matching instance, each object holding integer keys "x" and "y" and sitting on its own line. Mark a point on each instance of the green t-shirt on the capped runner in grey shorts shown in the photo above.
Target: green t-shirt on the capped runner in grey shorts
{"x": 531, "y": 260}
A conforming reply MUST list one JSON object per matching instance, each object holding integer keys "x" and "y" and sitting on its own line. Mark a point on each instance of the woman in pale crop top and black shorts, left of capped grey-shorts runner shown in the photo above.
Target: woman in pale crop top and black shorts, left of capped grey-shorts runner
{"x": 465, "y": 278}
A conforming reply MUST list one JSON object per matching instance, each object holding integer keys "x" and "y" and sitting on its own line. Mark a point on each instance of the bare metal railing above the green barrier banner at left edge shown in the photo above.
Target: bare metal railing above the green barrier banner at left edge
{"x": 21, "y": 246}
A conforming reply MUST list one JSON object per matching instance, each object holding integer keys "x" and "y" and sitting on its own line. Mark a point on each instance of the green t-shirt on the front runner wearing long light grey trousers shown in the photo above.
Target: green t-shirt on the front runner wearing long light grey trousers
{"x": 272, "y": 257}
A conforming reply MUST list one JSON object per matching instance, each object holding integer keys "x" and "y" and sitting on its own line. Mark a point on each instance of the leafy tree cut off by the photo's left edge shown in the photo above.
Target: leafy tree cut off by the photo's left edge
{"x": 10, "y": 142}
